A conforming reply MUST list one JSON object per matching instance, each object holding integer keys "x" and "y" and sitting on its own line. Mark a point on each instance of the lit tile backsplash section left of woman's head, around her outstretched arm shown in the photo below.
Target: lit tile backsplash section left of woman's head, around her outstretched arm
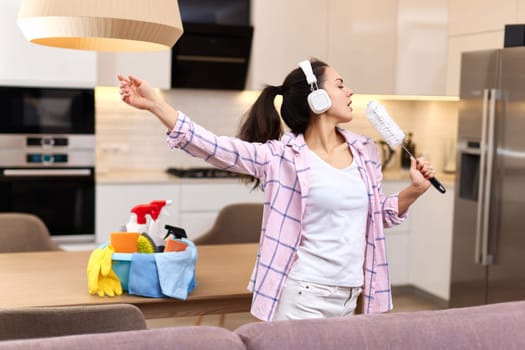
{"x": 128, "y": 138}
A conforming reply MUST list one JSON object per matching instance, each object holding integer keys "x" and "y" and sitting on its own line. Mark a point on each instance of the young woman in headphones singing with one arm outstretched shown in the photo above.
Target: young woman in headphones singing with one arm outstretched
{"x": 322, "y": 240}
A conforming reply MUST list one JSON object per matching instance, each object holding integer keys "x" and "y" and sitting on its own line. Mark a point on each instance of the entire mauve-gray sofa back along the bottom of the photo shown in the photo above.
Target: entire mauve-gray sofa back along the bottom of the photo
{"x": 495, "y": 326}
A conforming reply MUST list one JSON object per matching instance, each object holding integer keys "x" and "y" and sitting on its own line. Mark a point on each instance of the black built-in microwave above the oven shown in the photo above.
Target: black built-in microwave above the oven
{"x": 42, "y": 110}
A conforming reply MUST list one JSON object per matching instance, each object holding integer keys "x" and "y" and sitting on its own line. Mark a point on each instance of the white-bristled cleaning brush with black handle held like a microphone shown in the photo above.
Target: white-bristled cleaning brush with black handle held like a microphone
{"x": 391, "y": 133}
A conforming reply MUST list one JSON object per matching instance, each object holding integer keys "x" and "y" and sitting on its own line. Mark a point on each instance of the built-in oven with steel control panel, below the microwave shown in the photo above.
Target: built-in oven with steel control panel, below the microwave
{"x": 54, "y": 180}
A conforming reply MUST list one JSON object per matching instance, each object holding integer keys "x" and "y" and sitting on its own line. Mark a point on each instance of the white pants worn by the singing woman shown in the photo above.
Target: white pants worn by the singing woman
{"x": 302, "y": 300}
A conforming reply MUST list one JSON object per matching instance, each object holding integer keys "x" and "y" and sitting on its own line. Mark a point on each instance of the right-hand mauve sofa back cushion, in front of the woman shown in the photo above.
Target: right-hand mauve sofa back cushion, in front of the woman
{"x": 495, "y": 326}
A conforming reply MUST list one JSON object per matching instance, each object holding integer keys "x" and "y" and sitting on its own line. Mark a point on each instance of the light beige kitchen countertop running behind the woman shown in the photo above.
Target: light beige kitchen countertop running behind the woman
{"x": 161, "y": 177}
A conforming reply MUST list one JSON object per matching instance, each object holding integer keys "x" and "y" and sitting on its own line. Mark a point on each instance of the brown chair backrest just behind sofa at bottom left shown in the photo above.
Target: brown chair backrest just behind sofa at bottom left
{"x": 69, "y": 320}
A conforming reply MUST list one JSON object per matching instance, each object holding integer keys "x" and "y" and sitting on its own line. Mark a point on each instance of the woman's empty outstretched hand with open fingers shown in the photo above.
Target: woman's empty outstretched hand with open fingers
{"x": 137, "y": 93}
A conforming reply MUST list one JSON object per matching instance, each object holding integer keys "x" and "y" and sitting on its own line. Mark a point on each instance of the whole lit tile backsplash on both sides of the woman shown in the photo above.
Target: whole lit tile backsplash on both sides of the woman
{"x": 130, "y": 139}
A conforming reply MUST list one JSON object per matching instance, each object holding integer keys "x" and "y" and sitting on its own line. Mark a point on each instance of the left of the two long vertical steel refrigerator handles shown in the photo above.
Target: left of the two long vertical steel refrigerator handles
{"x": 481, "y": 184}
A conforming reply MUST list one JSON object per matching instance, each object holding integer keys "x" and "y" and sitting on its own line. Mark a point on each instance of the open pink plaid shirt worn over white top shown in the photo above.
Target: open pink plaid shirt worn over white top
{"x": 283, "y": 166}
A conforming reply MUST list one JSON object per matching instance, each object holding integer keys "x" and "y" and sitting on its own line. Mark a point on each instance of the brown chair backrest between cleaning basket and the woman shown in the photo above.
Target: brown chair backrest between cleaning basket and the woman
{"x": 236, "y": 223}
